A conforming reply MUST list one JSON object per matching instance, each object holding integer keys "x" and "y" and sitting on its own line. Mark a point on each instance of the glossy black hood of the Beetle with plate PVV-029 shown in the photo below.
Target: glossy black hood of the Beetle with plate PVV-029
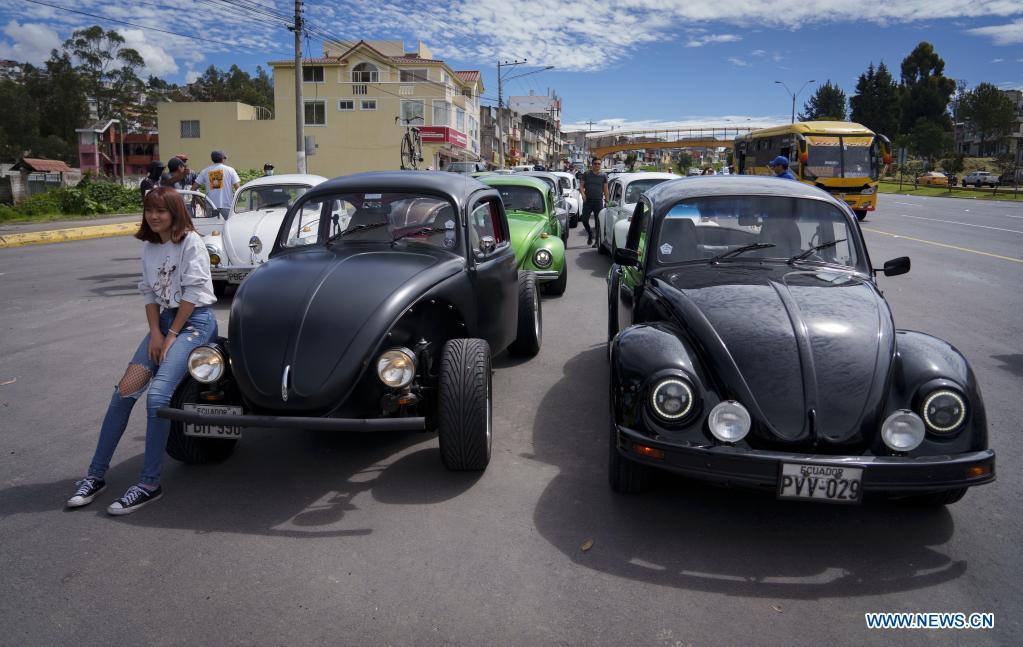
{"x": 809, "y": 352}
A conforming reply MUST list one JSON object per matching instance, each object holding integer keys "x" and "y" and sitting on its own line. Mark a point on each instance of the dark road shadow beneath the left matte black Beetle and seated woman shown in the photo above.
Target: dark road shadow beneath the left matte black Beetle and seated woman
{"x": 278, "y": 484}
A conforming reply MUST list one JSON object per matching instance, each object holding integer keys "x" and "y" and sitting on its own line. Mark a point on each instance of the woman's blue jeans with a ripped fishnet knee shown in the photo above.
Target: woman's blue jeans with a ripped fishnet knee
{"x": 162, "y": 380}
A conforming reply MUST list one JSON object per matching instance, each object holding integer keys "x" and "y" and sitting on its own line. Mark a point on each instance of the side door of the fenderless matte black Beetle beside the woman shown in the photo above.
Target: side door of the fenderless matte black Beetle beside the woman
{"x": 496, "y": 275}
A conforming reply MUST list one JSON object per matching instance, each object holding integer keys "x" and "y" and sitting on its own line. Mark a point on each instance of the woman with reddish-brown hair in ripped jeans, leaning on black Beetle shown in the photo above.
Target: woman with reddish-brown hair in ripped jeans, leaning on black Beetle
{"x": 177, "y": 291}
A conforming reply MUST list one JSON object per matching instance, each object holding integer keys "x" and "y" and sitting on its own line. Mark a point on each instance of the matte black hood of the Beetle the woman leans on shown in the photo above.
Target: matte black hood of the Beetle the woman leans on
{"x": 322, "y": 314}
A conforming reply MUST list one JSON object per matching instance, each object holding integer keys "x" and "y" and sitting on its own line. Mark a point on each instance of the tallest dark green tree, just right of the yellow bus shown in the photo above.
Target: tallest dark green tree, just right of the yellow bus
{"x": 926, "y": 92}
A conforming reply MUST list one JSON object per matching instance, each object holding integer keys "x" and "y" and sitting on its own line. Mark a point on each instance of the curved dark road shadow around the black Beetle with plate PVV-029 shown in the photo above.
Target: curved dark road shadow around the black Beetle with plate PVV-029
{"x": 692, "y": 536}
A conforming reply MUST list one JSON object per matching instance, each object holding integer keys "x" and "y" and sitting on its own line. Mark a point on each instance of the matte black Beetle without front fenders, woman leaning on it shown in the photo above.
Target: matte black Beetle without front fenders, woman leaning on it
{"x": 378, "y": 310}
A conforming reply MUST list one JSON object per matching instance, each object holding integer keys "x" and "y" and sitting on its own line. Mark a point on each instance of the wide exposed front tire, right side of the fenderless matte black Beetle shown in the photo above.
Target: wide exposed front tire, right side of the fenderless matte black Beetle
{"x": 465, "y": 406}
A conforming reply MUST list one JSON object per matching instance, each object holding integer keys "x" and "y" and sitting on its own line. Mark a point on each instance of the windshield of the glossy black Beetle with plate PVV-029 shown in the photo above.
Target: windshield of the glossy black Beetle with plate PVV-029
{"x": 702, "y": 229}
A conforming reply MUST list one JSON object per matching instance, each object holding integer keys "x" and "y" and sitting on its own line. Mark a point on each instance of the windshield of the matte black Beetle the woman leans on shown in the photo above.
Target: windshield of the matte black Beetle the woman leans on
{"x": 399, "y": 219}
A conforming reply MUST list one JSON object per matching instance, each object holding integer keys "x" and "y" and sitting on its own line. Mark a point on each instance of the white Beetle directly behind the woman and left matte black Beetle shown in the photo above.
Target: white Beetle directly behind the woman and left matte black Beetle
{"x": 250, "y": 232}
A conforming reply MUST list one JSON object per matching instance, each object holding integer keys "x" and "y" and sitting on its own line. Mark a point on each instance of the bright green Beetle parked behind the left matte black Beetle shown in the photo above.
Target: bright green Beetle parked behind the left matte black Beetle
{"x": 537, "y": 233}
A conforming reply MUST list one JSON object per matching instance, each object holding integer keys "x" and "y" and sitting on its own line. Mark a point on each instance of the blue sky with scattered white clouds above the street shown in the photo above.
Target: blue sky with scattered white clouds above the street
{"x": 626, "y": 63}
